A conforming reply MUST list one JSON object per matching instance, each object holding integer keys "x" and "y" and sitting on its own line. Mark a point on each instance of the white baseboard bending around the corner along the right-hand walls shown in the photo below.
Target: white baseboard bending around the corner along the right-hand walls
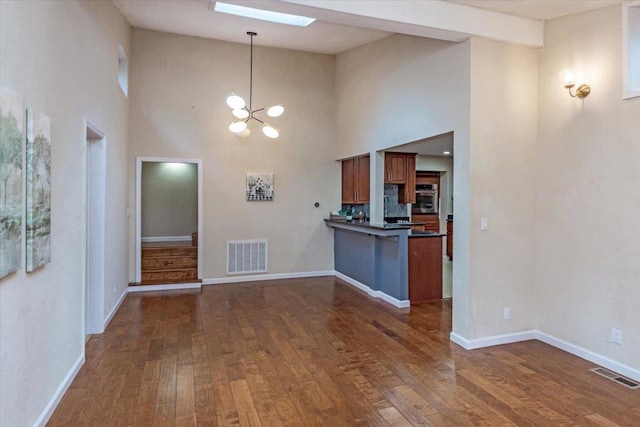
{"x": 583, "y": 353}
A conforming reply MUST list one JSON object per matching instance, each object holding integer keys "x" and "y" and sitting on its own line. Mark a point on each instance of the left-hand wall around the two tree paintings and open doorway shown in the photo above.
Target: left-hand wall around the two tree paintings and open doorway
{"x": 62, "y": 57}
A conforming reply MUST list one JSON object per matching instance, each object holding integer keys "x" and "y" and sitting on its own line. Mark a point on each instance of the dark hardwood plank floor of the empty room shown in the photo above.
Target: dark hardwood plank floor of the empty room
{"x": 317, "y": 352}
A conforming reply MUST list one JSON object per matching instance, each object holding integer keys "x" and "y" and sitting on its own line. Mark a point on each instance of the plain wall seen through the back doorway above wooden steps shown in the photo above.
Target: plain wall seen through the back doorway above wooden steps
{"x": 169, "y": 199}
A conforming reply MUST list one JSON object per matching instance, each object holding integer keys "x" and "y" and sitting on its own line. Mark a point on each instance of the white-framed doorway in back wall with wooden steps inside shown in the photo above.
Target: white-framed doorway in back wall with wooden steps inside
{"x": 168, "y": 221}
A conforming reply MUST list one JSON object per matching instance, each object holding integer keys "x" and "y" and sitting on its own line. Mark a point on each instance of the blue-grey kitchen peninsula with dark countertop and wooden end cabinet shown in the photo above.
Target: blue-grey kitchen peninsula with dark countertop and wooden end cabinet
{"x": 390, "y": 262}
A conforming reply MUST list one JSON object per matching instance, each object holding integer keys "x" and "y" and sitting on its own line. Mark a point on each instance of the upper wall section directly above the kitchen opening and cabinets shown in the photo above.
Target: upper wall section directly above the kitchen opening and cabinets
{"x": 398, "y": 90}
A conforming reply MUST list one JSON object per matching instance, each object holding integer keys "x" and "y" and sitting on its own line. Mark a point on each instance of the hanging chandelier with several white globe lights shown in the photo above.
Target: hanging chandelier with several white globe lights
{"x": 245, "y": 113}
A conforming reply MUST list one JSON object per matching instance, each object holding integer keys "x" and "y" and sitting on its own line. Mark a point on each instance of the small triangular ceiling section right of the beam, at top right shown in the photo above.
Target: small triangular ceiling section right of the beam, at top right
{"x": 541, "y": 10}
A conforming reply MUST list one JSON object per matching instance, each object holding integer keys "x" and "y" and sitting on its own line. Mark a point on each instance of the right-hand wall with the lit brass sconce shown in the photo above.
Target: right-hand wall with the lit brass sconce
{"x": 588, "y": 187}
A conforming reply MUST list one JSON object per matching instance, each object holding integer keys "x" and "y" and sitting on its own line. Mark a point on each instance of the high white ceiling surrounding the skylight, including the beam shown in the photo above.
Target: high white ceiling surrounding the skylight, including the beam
{"x": 342, "y": 24}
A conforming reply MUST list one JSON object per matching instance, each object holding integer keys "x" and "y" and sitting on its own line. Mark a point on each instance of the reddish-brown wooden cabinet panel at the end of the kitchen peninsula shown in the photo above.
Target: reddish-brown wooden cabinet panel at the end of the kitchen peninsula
{"x": 425, "y": 269}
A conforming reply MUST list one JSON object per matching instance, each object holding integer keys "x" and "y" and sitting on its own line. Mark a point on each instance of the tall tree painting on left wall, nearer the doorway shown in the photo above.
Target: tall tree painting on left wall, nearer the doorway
{"x": 38, "y": 162}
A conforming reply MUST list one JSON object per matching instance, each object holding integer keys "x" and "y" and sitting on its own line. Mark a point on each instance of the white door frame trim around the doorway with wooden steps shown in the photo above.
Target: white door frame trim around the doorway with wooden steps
{"x": 139, "y": 161}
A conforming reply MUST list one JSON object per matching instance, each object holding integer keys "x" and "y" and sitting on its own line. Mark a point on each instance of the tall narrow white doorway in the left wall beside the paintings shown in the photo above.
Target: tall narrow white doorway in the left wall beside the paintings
{"x": 95, "y": 196}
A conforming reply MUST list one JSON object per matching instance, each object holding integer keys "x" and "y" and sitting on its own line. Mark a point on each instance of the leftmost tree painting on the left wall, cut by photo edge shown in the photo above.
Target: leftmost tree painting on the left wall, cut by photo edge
{"x": 11, "y": 149}
